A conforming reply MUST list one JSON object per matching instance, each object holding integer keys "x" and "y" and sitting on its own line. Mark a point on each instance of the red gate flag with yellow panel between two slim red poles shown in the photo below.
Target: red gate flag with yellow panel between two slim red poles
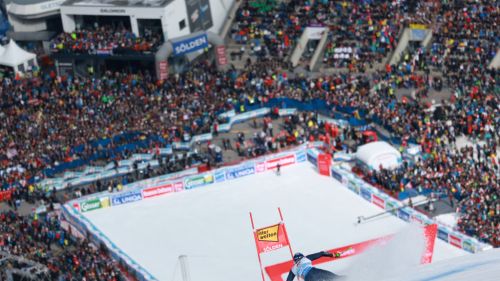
{"x": 270, "y": 238}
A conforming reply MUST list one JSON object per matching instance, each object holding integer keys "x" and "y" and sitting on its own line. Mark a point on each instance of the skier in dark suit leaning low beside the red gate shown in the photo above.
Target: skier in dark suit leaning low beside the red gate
{"x": 303, "y": 269}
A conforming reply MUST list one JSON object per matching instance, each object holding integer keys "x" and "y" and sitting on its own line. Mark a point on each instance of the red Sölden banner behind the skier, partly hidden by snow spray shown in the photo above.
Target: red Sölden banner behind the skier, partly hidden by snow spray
{"x": 277, "y": 270}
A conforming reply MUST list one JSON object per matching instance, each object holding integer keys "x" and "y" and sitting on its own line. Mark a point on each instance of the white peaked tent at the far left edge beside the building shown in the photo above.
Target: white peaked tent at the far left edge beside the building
{"x": 17, "y": 58}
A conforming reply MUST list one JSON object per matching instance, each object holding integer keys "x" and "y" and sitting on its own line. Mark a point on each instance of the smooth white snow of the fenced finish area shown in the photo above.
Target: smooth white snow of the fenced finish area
{"x": 211, "y": 225}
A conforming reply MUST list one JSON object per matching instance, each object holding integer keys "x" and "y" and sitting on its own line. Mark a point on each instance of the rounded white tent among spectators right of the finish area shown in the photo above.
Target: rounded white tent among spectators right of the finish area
{"x": 375, "y": 154}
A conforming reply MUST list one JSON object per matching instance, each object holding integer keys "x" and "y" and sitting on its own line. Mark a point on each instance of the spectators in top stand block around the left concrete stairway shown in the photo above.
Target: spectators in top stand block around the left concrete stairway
{"x": 361, "y": 33}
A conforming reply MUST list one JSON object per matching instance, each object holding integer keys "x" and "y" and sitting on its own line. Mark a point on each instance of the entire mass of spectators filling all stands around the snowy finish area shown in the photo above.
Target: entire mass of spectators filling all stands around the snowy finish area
{"x": 50, "y": 120}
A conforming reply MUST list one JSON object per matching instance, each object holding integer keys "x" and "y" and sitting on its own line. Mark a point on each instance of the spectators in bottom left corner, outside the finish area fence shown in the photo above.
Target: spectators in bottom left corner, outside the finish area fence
{"x": 44, "y": 240}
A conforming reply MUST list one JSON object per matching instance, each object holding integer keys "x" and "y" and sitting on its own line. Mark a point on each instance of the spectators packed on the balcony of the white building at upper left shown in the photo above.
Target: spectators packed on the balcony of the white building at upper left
{"x": 106, "y": 40}
